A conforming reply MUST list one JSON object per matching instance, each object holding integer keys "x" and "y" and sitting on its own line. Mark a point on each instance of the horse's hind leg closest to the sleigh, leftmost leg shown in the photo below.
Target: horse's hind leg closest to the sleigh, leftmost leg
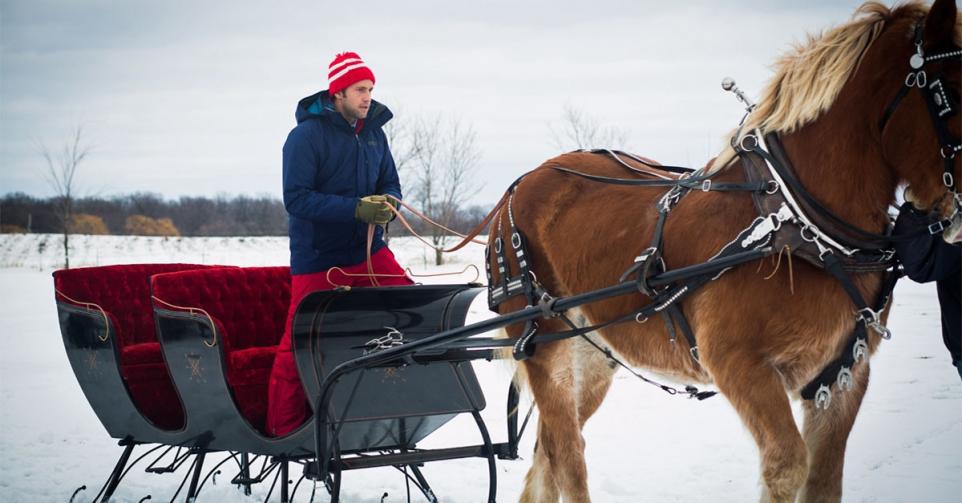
{"x": 559, "y": 466}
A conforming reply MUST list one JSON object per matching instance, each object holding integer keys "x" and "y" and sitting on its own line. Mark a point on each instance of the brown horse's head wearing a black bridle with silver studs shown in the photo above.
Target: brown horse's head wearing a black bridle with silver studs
{"x": 916, "y": 64}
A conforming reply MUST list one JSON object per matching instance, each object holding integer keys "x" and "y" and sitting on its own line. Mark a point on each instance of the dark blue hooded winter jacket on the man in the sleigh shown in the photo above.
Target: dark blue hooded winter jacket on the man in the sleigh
{"x": 327, "y": 168}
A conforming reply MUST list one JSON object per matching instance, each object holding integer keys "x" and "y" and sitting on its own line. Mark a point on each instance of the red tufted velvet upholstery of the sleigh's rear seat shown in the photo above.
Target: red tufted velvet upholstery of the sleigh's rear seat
{"x": 123, "y": 291}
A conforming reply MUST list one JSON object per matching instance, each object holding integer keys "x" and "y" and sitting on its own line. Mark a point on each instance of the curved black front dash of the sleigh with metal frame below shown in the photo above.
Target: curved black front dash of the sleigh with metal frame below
{"x": 413, "y": 396}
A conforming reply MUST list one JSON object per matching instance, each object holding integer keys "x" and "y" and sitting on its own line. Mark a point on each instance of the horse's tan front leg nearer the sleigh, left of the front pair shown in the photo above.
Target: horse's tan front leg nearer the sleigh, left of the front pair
{"x": 756, "y": 392}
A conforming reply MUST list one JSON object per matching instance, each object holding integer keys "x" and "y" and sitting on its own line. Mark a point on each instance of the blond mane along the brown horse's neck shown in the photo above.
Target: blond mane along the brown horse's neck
{"x": 808, "y": 78}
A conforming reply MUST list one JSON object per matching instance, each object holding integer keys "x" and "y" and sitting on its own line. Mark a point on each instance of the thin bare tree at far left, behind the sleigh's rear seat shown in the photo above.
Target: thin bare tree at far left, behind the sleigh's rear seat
{"x": 61, "y": 172}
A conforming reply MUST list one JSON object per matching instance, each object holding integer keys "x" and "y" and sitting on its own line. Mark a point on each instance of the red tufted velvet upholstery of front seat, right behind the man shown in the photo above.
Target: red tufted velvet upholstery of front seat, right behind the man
{"x": 249, "y": 306}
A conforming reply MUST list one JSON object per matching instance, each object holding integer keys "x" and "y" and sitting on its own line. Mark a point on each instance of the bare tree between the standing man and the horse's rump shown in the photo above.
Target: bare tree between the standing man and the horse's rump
{"x": 445, "y": 156}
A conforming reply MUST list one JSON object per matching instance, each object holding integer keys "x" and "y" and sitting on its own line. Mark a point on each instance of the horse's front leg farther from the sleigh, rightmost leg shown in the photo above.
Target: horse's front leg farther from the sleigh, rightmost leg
{"x": 826, "y": 433}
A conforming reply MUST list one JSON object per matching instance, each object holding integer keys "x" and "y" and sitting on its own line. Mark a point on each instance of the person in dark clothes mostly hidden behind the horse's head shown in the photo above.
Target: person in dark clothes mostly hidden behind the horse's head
{"x": 927, "y": 258}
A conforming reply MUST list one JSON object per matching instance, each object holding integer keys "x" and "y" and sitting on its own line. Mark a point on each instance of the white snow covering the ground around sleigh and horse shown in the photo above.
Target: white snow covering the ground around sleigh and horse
{"x": 641, "y": 446}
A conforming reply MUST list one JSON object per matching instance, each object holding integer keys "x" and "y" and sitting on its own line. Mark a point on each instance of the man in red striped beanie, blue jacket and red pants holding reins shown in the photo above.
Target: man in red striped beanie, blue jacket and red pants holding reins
{"x": 338, "y": 172}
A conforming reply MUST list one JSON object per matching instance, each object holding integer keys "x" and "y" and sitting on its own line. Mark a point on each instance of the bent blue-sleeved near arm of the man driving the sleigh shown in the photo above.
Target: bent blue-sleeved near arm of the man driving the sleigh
{"x": 301, "y": 164}
